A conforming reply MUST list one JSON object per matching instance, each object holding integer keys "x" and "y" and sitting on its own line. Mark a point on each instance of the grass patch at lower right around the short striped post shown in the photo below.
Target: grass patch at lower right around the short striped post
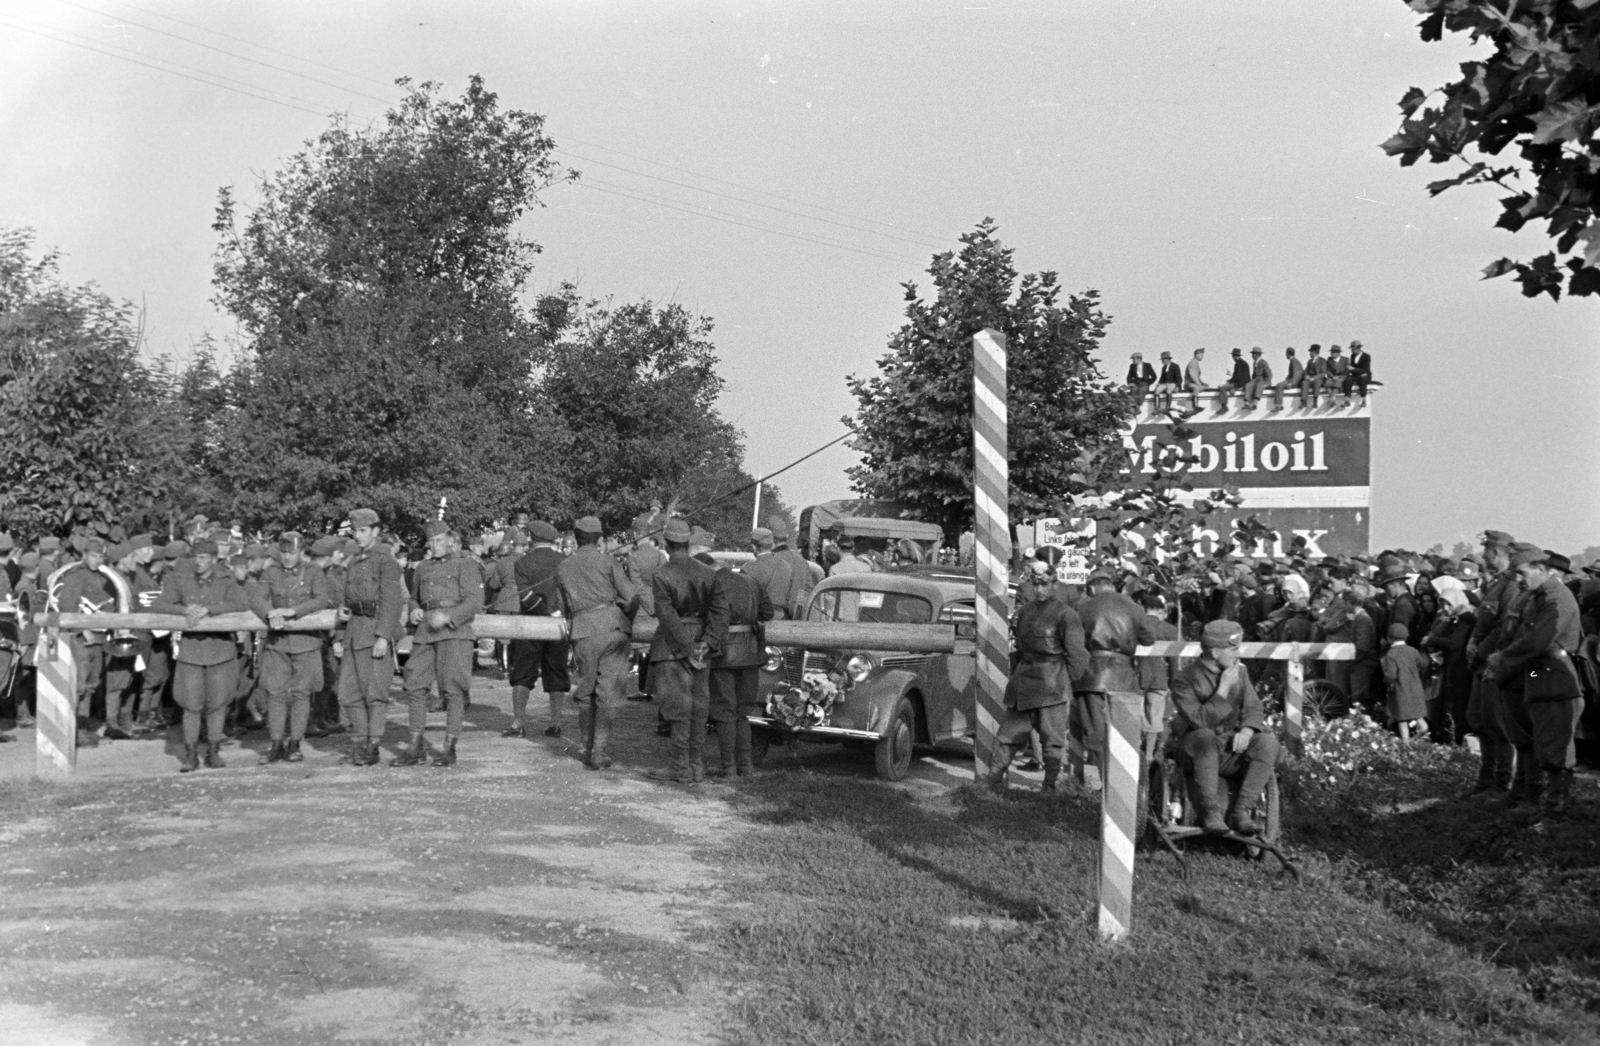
{"x": 871, "y": 919}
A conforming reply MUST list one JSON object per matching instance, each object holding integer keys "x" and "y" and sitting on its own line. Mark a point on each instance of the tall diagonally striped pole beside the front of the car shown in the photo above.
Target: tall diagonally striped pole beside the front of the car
{"x": 991, "y": 497}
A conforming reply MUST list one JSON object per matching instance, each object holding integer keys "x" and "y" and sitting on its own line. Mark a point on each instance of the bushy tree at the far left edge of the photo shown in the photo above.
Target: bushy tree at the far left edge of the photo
{"x": 87, "y": 441}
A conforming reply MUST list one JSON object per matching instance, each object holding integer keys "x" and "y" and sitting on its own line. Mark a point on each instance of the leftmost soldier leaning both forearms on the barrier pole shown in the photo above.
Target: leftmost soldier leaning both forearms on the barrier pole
{"x": 207, "y": 663}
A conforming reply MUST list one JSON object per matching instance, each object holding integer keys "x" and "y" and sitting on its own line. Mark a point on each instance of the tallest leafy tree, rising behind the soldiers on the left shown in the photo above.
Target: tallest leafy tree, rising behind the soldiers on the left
{"x": 390, "y": 359}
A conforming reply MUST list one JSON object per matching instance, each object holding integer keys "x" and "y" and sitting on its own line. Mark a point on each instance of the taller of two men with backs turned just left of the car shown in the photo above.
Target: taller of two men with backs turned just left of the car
{"x": 687, "y": 599}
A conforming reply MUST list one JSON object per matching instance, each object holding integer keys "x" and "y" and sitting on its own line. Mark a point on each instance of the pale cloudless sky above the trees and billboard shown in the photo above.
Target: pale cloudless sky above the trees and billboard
{"x": 1212, "y": 170}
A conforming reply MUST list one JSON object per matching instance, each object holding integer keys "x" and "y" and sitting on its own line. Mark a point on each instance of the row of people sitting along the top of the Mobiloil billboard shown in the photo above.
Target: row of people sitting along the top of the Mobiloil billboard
{"x": 1326, "y": 381}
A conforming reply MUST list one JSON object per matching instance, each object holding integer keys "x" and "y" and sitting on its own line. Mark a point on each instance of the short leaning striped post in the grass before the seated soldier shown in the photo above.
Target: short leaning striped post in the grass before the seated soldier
{"x": 1119, "y": 800}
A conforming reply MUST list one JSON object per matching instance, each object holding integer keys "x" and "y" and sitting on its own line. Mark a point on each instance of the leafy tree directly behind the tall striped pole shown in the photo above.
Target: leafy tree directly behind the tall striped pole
{"x": 914, "y": 428}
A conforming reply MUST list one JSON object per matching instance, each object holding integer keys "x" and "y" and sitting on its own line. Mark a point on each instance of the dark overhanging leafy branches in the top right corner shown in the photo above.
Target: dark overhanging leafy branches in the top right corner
{"x": 1540, "y": 92}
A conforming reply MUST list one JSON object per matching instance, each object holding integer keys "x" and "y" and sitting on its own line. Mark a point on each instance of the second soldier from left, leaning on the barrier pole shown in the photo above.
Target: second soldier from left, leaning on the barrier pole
{"x": 290, "y": 661}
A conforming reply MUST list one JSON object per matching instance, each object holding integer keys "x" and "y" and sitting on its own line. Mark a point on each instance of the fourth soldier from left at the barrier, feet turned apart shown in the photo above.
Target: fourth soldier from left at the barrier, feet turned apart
{"x": 446, "y": 597}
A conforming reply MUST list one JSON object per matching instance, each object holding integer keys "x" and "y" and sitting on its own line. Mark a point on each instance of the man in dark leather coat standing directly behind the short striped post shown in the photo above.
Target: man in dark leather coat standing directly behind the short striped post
{"x": 1114, "y": 628}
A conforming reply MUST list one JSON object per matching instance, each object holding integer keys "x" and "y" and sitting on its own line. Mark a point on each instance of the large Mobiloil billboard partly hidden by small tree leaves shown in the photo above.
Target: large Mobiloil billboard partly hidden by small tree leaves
{"x": 1302, "y": 471}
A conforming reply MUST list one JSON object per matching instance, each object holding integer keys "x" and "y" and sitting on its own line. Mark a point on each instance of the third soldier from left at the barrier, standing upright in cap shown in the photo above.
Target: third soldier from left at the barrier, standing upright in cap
{"x": 374, "y": 605}
